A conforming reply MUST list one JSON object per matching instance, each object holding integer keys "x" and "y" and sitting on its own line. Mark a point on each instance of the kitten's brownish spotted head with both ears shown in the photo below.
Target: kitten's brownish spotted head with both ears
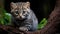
{"x": 20, "y": 10}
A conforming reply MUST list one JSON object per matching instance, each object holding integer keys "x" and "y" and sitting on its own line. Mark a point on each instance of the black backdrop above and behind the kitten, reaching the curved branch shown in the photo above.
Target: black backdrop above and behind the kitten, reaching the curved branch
{"x": 37, "y": 6}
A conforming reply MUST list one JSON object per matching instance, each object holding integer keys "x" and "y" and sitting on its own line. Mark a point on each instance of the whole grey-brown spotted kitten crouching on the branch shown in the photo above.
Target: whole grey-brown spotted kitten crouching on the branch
{"x": 23, "y": 17}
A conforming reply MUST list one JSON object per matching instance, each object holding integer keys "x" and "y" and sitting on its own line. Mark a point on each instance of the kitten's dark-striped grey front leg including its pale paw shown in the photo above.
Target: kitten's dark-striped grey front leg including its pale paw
{"x": 27, "y": 25}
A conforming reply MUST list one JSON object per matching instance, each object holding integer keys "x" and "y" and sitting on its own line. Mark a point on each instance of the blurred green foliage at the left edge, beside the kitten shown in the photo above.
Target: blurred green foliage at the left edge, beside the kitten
{"x": 5, "y": 17}
